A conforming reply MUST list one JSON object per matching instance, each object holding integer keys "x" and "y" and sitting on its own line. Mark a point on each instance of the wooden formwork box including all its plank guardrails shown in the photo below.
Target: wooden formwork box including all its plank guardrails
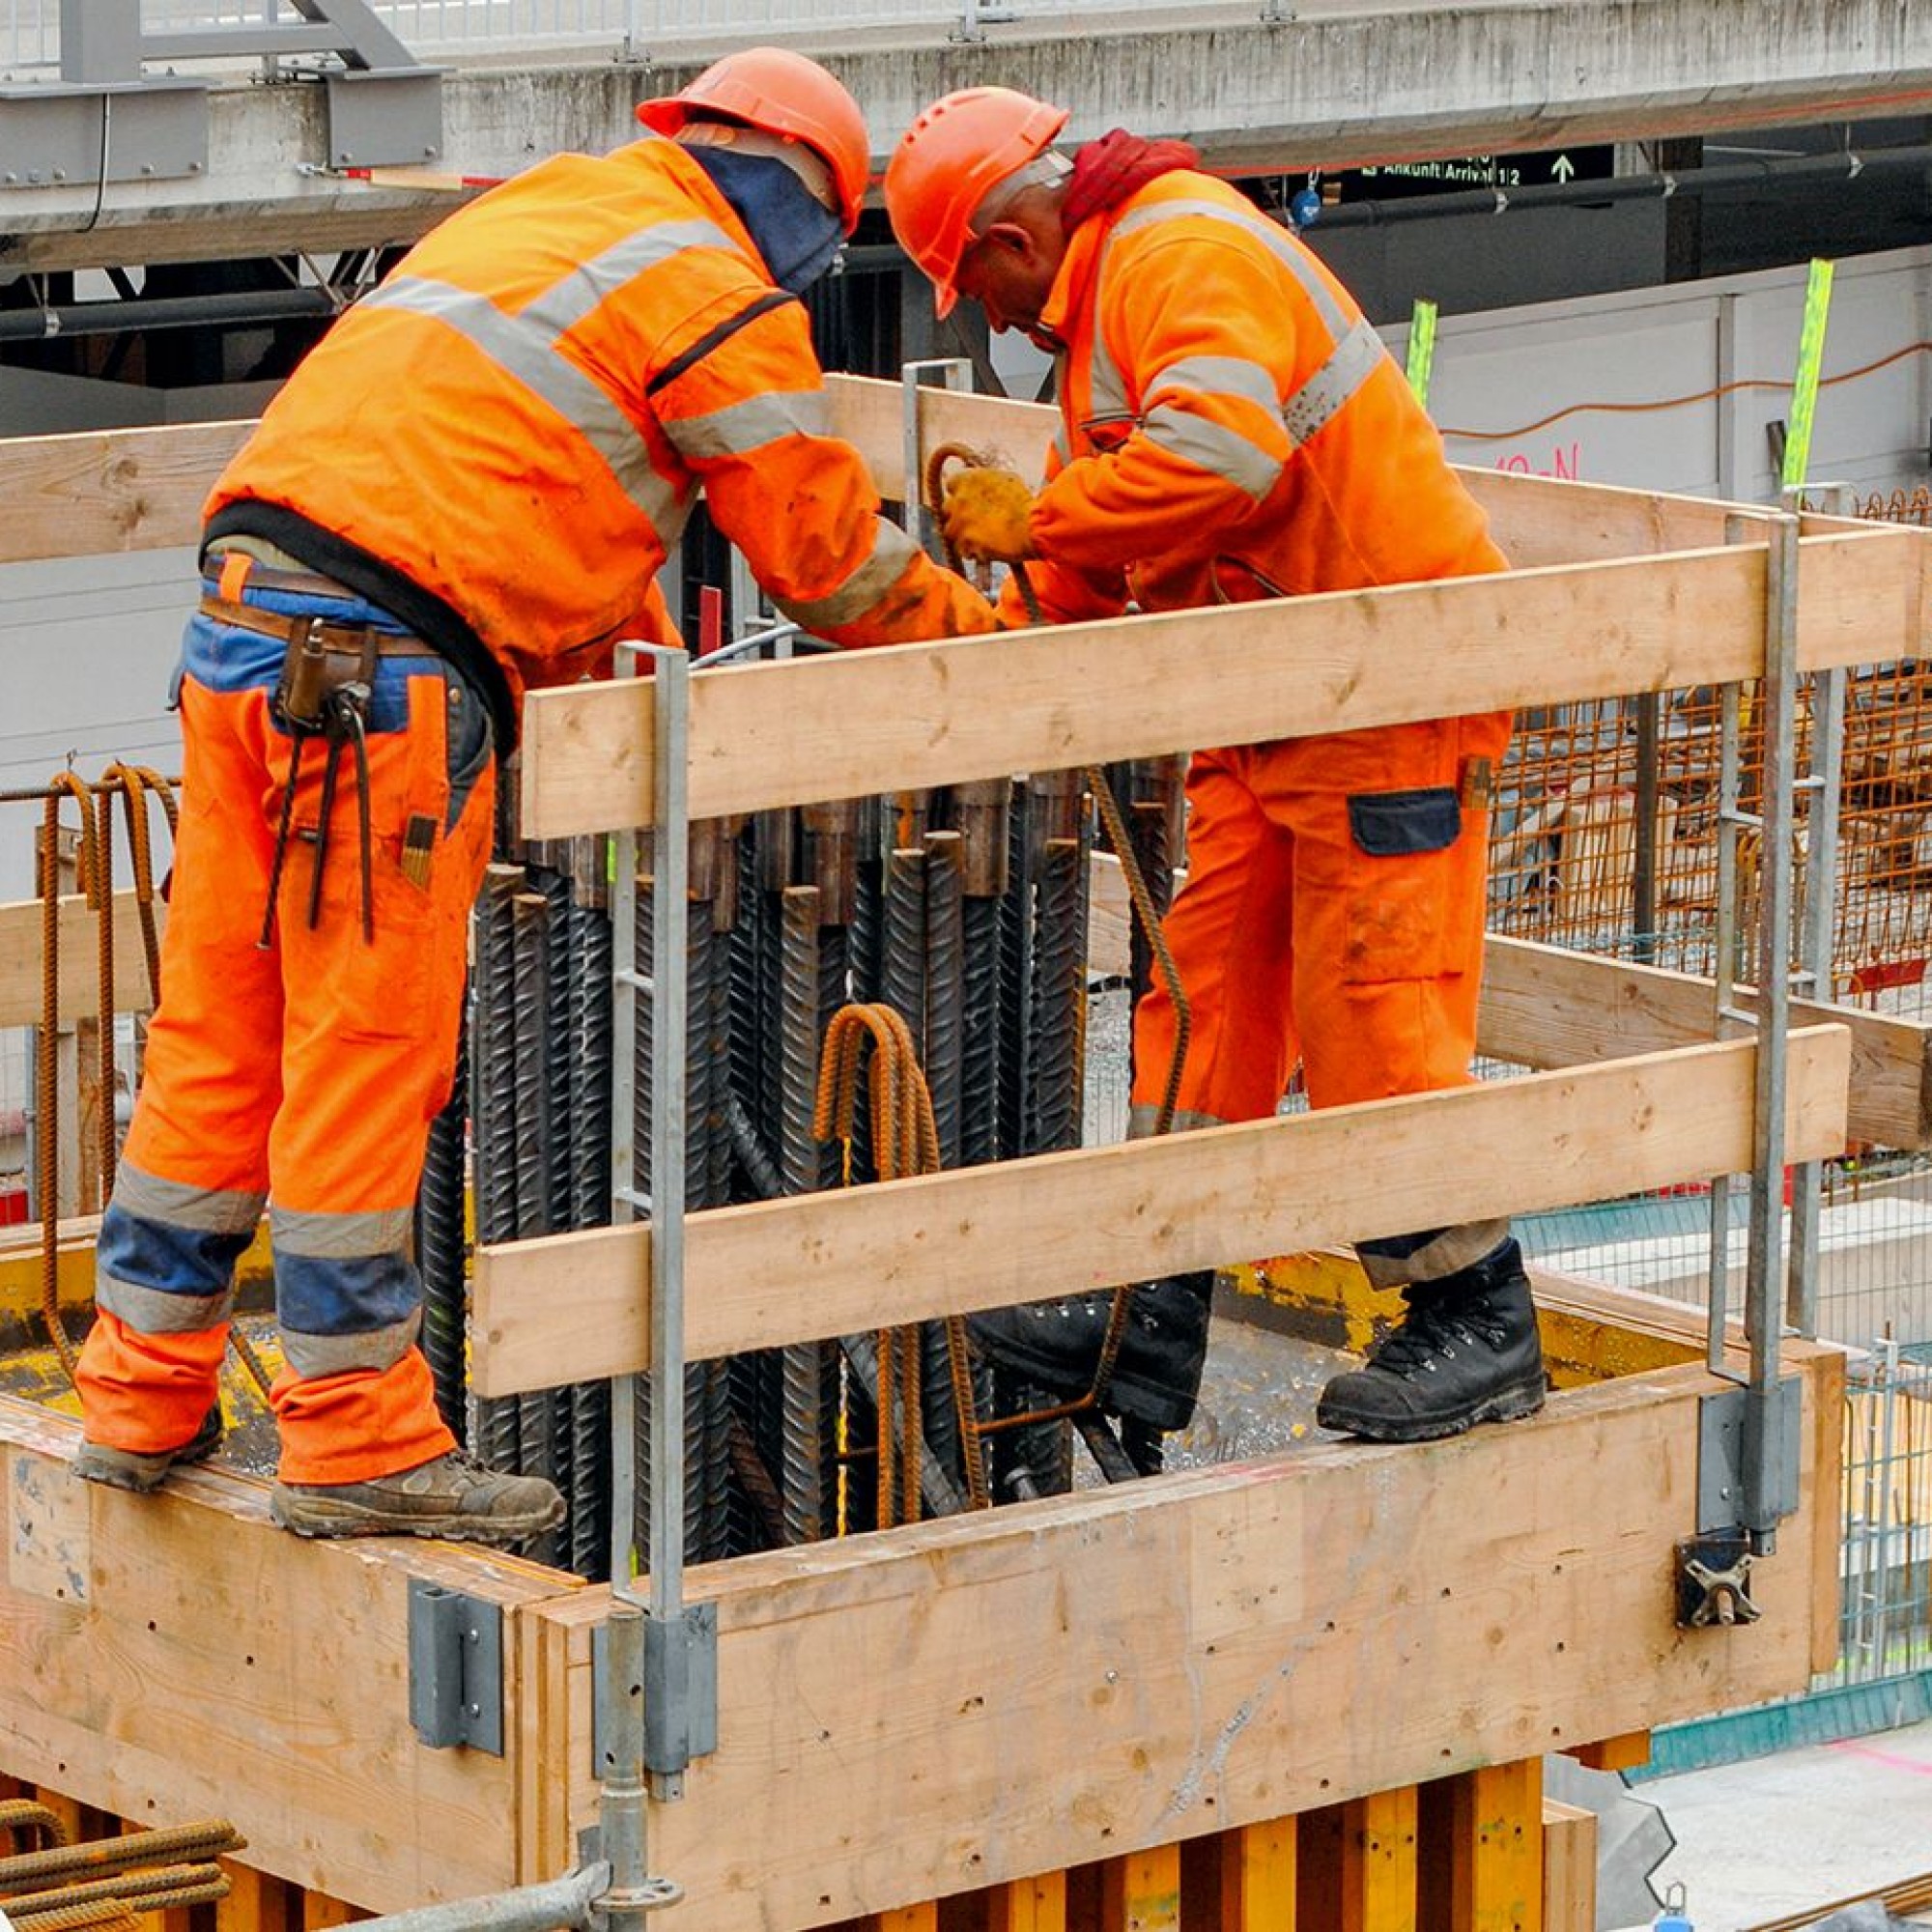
{"x": 1301, "y": 1691}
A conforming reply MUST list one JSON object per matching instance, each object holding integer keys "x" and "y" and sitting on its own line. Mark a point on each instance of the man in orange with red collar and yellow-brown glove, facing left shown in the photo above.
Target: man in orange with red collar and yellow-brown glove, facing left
{"x": 1234, "y": 430}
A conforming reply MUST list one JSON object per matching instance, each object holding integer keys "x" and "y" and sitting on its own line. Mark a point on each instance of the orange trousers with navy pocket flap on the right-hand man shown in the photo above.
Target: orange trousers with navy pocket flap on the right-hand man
{"x": 1332, "y": 921}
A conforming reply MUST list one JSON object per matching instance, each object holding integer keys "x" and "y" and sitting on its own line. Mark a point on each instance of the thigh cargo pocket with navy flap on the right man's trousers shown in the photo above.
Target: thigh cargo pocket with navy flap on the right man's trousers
{"x": 1402, "y": 880}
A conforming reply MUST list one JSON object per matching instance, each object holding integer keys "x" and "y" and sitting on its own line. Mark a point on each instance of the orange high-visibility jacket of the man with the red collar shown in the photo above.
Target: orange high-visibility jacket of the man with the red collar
{"x": 1232, "y": 424}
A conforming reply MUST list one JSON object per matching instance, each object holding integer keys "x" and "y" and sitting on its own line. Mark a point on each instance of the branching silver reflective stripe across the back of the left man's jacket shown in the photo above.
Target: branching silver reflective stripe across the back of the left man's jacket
{"x": 526, "y": 349}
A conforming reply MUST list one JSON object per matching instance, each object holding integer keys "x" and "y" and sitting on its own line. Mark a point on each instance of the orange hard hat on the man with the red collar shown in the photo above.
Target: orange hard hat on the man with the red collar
{"x": 950, "y": 161}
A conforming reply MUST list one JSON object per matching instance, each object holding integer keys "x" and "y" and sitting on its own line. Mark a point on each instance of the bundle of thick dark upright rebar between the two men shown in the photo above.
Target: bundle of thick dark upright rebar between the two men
{"x": 965, "y": 911}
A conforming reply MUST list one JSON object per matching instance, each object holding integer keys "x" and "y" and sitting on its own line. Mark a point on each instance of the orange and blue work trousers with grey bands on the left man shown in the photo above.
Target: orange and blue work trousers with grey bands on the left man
{"x": 302, "y": 1073}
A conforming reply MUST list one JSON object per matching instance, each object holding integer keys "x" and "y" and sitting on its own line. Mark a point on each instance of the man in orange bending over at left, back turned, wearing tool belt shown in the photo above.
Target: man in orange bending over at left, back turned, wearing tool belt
{"x": 467, "y": 490}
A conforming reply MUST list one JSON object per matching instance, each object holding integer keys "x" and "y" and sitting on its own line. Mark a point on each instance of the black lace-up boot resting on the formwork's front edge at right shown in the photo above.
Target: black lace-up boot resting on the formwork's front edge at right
{"x": 1465, "y": 1353}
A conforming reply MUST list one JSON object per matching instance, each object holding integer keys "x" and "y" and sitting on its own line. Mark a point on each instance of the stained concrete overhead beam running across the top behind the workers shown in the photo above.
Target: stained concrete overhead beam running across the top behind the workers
{"x": 1338, "y": 86}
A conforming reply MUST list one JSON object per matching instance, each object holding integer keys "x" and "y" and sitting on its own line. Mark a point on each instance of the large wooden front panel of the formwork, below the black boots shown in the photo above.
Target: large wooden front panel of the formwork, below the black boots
{"x": 1222, "y": 1647}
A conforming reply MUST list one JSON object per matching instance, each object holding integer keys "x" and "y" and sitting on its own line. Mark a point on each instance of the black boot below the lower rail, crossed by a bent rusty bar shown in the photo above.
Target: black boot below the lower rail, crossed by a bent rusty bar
{"x": 1158, "y": 1371}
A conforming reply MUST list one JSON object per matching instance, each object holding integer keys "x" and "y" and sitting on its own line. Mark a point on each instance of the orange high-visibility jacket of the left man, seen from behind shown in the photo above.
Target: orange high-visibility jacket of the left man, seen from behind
{"x": 521, "y": 416}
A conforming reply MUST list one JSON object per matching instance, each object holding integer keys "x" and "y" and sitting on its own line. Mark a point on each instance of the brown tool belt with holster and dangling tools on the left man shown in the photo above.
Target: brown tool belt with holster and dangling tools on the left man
{"x": 324, "y": 693}
